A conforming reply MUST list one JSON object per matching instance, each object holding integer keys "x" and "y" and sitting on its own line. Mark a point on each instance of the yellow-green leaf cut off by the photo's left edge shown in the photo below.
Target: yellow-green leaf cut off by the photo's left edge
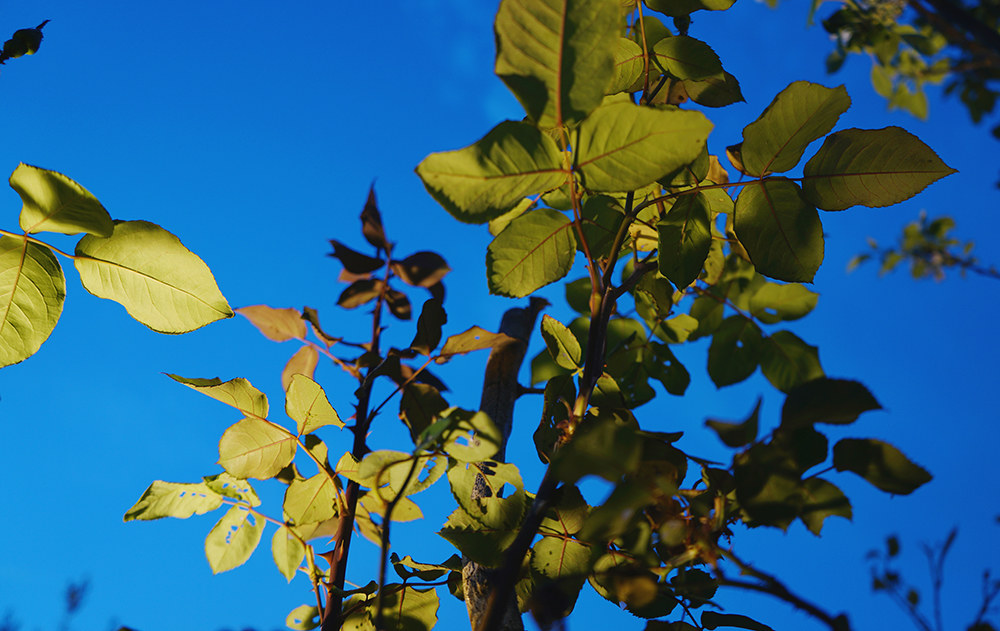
{"x": 32, "y": 292}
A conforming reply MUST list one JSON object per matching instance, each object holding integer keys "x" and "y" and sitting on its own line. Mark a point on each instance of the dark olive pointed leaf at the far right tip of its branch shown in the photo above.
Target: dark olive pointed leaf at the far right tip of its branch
{"x": 872, "y": 168}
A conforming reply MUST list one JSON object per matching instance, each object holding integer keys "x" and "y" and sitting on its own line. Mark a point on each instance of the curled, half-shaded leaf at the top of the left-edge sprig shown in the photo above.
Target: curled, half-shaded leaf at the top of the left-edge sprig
{"x": 54, "y": 203}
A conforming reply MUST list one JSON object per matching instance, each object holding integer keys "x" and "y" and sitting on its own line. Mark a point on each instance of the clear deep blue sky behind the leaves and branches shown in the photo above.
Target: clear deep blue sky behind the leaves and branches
{"x": 252, "y": 130}
